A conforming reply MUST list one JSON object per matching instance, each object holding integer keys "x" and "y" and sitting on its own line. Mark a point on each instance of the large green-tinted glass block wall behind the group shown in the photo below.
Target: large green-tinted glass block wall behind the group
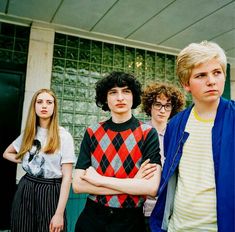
{"x": 78, "y": 63}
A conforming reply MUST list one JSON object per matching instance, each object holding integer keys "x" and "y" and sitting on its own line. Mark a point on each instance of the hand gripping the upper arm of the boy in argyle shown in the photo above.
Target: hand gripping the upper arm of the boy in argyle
{"x": 146, "y": 170}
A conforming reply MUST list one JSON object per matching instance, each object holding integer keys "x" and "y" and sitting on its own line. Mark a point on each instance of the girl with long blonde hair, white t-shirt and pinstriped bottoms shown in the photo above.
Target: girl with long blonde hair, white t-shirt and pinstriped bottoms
{"x": 46, "y": 152}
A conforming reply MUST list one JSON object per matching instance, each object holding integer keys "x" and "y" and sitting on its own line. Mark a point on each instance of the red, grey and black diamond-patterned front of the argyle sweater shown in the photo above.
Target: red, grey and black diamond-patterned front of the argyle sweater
{"x": 118, "y": 154}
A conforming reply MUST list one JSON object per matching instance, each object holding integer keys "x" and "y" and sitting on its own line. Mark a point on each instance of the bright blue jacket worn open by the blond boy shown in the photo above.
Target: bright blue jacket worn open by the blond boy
{"x": 223, "y": 147}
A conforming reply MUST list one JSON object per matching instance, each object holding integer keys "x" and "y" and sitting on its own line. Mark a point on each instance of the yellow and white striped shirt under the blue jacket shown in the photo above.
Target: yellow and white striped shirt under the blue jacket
{"x": 195, "y": 198}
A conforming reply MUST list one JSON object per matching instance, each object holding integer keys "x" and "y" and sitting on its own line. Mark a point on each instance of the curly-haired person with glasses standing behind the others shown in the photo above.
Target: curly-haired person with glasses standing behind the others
{"x": 160, "y": 101}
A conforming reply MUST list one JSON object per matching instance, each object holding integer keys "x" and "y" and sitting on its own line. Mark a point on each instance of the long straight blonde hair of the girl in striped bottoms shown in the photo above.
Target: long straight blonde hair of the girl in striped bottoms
{"x": 53, "y": 137}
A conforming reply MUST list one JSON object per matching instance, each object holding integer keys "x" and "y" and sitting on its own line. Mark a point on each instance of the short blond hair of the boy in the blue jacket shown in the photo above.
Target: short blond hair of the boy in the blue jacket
{"x": 195, "y": 54}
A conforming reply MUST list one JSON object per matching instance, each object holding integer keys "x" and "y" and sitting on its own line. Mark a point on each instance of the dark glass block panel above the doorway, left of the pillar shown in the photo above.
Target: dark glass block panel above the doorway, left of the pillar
{"x": 14, "y": 41}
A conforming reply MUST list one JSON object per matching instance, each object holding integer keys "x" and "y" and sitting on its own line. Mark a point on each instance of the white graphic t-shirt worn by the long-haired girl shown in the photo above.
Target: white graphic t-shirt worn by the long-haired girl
{"x": 37, "y": 163}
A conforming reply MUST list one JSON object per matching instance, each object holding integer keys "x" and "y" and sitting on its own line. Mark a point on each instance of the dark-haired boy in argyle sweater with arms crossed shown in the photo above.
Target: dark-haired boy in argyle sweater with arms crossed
{"x": 119, "y": 161}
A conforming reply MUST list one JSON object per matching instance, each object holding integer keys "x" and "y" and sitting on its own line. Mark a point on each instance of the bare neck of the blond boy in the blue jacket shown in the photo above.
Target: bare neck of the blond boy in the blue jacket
{"x": 206, "y": 111}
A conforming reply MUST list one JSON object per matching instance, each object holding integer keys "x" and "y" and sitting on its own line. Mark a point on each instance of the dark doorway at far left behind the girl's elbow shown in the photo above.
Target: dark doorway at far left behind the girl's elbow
{"x": 12, "y": 83}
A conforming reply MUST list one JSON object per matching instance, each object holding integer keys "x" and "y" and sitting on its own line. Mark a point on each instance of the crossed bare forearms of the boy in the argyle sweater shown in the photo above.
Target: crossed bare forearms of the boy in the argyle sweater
{"x": 145, "y": 182}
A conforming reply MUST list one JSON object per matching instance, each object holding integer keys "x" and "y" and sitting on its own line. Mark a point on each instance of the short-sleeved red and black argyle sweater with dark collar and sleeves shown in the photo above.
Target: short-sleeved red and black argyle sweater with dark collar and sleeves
{"x": 117, "y": 150}
